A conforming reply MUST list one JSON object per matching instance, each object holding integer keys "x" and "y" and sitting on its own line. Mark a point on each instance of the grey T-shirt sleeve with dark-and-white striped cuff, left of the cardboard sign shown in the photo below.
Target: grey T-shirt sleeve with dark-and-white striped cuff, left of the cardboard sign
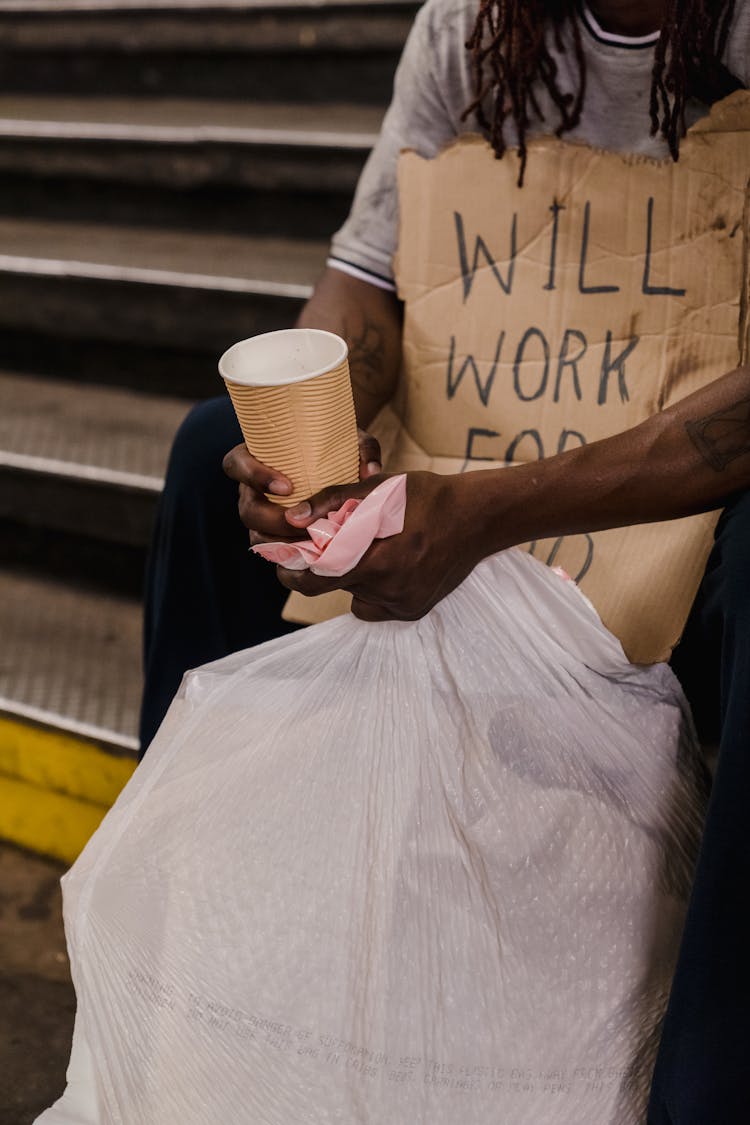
{"x": 419, "y": 119}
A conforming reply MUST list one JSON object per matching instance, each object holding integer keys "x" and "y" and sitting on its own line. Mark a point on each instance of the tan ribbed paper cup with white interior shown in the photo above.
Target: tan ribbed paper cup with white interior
{"x": 293, "y": 398}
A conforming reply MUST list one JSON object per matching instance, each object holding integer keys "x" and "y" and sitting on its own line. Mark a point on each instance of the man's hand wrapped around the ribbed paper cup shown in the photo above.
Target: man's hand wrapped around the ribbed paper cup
{"x": 265, "y": 519}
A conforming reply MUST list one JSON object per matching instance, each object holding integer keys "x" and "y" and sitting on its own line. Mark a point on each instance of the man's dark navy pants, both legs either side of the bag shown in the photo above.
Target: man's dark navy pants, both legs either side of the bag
{"x": 209, "y": 597}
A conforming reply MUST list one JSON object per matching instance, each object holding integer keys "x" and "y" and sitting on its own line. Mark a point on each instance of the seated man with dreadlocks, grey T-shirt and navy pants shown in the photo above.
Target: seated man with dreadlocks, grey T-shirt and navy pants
{"x": 619, "y": 76}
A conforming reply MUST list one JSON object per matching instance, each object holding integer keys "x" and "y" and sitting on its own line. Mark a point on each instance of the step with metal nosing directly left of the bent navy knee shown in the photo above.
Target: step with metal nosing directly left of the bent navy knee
{"x": 84, "y": 461}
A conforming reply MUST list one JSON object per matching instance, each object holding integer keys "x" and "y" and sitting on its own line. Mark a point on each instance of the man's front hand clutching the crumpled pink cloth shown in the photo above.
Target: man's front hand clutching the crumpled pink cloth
{"x": 404, "y": 577}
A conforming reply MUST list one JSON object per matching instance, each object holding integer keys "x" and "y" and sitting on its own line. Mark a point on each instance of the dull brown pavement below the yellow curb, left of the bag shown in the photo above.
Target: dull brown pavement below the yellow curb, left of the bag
{"x": 38, "y": 1003}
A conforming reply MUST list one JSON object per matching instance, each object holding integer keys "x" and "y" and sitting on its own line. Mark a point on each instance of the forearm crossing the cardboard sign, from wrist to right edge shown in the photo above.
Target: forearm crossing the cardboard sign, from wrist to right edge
{"x": 691, "y": 458}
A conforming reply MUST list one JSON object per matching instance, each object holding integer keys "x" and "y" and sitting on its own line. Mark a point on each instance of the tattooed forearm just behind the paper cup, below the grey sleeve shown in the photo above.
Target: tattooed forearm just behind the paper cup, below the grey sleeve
{"x": 369, "y": 321}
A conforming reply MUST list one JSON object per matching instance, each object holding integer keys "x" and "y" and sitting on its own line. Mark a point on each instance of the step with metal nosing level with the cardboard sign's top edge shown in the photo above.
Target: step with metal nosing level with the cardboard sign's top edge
{"x": 311, "y": 159}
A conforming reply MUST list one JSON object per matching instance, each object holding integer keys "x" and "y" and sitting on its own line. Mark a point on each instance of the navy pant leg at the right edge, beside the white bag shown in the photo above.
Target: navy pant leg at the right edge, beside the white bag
{"x": 702, "y": 1070}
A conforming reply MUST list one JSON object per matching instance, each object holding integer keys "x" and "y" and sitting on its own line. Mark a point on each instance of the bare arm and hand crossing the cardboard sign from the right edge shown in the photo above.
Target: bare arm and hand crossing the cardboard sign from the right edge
{"x": 691, "y": 458}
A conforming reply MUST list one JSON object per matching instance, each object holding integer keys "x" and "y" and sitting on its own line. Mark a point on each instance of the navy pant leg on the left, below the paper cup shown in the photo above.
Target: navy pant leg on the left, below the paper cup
{"x": 206, "y": 595}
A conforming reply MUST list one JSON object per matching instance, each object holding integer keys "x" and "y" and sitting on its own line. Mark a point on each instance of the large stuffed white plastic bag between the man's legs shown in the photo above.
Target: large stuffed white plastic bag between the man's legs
{"x": 427, "y": 874}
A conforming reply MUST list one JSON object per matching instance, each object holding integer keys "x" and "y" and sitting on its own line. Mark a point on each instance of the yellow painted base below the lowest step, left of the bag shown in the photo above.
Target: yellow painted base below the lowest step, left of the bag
{"x": 55, "y": 788}
